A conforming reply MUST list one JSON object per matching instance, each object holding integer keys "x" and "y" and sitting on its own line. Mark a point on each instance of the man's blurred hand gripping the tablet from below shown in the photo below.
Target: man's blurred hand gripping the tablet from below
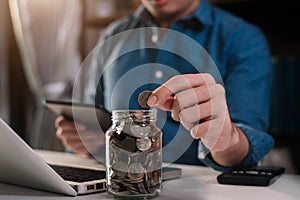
{"x": 77, "y": 137}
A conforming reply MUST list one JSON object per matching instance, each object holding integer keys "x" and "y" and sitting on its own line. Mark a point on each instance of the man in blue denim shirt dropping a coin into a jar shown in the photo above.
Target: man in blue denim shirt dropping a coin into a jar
{"x": 227, "y": 123}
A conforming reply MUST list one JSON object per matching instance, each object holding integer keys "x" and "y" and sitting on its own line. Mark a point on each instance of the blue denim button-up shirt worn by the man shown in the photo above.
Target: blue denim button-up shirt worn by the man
{"x": 237, "y": 49}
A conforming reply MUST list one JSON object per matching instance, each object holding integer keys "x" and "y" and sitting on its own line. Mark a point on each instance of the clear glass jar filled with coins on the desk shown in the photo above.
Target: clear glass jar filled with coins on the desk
{"x": 134, "y": 154}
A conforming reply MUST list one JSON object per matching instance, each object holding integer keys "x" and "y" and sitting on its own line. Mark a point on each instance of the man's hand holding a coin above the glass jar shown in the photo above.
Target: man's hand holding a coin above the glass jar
{"x": 199, "y": 104}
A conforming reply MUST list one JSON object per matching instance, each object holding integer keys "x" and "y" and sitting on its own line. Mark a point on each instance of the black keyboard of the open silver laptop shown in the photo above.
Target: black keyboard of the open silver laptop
{"x": 78, "y": 174}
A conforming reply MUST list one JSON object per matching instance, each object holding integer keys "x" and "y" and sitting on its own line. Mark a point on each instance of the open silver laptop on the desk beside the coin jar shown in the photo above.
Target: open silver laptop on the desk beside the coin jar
{"x": 21, "y": 165}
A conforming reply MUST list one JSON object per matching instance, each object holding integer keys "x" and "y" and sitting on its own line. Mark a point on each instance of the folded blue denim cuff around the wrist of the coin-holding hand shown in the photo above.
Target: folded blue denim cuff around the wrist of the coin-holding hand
{"x": 260, "y": 143}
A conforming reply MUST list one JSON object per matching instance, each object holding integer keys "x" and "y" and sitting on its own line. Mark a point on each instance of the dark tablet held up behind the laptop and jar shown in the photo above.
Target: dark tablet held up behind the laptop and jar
{"x": 90, "y": 115}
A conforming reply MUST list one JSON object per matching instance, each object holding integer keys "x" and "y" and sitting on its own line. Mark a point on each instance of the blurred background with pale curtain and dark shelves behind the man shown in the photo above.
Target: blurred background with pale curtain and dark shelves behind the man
{"x": 43, "y": 42}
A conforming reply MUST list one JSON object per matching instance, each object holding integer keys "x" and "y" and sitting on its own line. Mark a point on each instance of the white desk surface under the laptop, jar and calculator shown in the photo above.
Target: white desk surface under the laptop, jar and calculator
{"x": 196, "y": 183}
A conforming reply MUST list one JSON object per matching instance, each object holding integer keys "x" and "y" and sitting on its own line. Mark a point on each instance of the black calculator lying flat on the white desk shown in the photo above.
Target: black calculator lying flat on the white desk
{"x": 254, "y": 176}
